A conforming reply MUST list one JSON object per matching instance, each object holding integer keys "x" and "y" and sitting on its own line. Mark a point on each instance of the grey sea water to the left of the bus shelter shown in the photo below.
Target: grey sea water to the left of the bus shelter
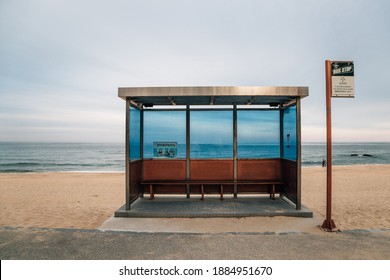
{"x": 60, "y": 157}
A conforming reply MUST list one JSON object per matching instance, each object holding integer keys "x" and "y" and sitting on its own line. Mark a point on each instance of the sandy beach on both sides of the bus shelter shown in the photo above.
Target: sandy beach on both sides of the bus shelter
{"x": 361, "y": 196}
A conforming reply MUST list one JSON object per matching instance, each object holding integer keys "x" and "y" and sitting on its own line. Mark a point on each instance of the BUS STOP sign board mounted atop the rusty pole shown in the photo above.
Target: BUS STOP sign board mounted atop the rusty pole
{"x": 342, "y": 73}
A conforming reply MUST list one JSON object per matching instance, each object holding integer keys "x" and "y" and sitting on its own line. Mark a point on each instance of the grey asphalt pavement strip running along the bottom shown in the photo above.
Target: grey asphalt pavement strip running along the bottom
{"x": 64, "y": 244}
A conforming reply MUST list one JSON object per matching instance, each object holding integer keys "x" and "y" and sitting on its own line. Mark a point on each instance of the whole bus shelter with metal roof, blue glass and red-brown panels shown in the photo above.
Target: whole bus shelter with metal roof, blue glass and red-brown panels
{"x": 227, "y": 141}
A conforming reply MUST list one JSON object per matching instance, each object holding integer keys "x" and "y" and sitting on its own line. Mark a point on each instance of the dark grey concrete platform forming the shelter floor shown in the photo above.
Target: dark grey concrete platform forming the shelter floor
{"x": 181, "y": 207}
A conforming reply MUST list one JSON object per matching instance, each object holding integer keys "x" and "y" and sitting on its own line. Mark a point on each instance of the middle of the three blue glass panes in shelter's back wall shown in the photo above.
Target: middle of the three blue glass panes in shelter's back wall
{"x": 211, "y": 134}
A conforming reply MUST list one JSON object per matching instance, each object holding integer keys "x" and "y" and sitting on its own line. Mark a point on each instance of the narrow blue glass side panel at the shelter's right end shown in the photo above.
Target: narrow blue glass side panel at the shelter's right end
{"x": 290, "y": 133}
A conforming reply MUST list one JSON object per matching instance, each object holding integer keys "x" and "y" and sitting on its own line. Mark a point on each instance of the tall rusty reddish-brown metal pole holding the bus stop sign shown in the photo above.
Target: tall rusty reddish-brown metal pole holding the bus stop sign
{"x": 328, "y": 223}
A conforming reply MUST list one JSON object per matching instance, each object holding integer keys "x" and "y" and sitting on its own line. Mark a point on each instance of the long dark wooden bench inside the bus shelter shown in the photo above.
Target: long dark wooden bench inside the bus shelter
{"x": 151, "y": 184}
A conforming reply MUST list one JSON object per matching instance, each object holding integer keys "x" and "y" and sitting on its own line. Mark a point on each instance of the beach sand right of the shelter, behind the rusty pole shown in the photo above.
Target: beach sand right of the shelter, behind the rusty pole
{"x": 360, "y": 195}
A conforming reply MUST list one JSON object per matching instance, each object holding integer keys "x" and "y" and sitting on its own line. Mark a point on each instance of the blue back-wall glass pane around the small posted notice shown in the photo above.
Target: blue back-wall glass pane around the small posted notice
{"x": 165, "y": 126}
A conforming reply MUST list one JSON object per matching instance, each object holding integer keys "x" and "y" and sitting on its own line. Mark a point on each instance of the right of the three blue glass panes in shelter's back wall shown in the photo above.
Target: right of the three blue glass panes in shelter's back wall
{"x": 258, "y": 134}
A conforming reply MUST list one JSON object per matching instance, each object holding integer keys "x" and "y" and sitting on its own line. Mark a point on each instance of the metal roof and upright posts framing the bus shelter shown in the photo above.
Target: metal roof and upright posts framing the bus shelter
{"x": 169, "y": 98}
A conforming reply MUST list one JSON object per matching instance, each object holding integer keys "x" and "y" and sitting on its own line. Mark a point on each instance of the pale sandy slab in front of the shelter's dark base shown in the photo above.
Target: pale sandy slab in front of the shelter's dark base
{"x": 247, "y": 225}
